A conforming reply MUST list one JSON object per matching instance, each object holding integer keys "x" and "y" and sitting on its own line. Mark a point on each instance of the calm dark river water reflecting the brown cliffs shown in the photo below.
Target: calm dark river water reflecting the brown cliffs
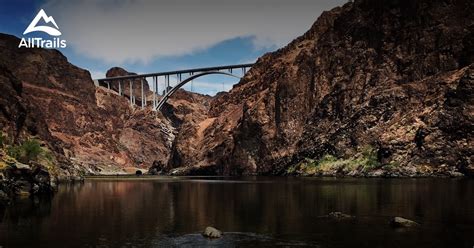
{"x": 264, "y": 212}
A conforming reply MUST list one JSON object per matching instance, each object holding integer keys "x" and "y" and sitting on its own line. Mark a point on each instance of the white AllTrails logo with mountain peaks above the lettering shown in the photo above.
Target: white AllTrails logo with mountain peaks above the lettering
{"x": 51, "y": 30}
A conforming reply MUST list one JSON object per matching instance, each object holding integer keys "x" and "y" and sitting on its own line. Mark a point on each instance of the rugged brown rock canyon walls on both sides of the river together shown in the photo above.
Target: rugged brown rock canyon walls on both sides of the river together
{"x": 374, "y": 88}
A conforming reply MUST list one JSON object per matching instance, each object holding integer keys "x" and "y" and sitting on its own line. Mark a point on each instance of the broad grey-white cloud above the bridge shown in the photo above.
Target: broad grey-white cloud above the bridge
{"x": 131, "y": 31}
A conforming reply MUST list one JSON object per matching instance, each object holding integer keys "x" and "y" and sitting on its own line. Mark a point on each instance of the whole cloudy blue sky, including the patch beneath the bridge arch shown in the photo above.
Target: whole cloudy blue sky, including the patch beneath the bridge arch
{"x": 145, "y": 36}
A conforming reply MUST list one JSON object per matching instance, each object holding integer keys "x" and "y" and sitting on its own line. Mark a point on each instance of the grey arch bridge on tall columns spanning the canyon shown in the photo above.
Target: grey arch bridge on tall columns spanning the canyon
{"x": 159, "y": 100}
